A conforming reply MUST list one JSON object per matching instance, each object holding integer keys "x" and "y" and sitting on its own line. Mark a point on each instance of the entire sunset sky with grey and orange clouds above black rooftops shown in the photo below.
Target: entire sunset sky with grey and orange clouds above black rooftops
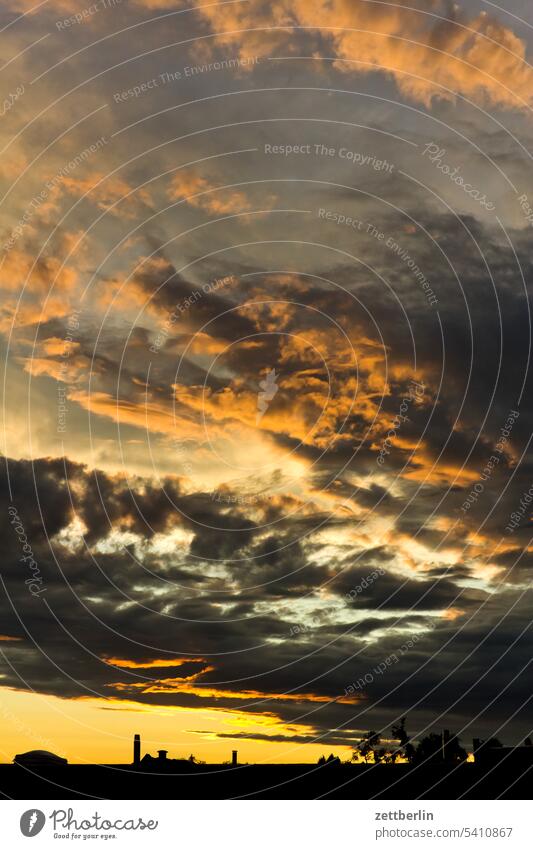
{"x": 265, "y": 332}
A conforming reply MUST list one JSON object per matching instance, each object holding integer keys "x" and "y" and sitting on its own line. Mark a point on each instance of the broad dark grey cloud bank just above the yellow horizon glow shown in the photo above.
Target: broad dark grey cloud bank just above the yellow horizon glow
{"x": 137, "y": 597}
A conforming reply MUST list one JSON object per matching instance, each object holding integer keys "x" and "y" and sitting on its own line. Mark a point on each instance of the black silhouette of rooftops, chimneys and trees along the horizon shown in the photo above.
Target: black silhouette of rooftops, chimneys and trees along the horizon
{"x": 435, "y": 767}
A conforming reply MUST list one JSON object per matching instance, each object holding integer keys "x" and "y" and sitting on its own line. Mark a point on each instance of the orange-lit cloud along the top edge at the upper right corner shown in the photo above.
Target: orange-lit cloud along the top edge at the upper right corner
{"x": 427, "y": 56}
